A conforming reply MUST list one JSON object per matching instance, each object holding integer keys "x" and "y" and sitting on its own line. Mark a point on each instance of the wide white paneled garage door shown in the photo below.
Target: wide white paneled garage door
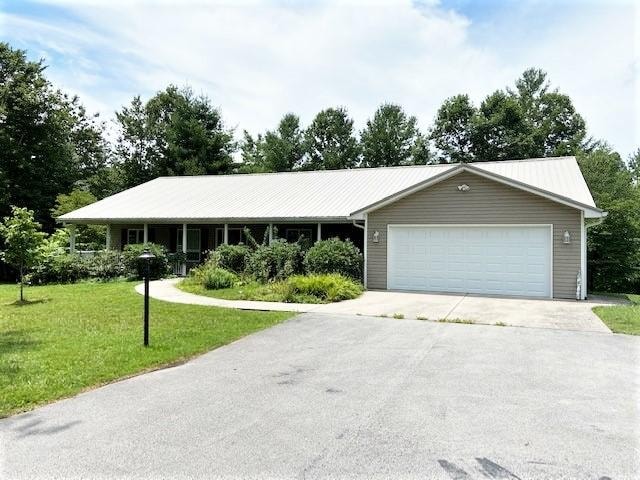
{"x": 500, "y": 260}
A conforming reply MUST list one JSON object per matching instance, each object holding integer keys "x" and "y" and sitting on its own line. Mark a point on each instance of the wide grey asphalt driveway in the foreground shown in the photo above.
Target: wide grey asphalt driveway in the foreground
{"x": 346, "y": 396}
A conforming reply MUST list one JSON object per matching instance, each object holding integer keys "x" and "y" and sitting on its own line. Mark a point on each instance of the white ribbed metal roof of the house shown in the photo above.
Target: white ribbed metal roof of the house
{"x": 318, "y": 195}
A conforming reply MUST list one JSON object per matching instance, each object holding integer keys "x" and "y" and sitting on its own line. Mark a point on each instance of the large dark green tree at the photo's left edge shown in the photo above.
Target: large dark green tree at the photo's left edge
{"x": 47, "y": 140}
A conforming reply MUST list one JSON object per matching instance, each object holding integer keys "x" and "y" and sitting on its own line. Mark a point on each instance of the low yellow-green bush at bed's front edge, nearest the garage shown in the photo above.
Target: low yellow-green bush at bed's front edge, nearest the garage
{"x": 329, "y": 287}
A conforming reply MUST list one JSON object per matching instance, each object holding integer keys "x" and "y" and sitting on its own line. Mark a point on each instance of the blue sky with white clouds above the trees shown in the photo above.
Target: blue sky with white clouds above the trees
{"x": 259, "y": 60}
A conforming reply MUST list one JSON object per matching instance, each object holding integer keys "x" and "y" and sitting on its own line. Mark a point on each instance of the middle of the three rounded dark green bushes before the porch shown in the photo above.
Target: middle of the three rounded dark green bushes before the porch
{"x": 277, "y": 261}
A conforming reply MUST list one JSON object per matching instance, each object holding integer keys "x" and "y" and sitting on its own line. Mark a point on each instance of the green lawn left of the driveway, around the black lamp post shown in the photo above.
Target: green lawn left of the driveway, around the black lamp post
{"x": 67, "y": 338}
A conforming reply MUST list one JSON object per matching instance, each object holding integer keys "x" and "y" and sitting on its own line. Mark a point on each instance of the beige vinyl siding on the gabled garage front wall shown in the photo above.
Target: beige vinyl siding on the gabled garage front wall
{"x": 487, "y": 202}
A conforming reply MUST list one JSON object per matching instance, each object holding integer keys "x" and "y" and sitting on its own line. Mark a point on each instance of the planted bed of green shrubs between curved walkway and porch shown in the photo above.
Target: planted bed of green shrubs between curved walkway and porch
{"x": 327, "y": 272}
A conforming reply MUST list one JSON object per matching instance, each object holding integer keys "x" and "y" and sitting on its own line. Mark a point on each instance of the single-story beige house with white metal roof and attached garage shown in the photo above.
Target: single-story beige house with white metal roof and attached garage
{"x": 501, "y": 228}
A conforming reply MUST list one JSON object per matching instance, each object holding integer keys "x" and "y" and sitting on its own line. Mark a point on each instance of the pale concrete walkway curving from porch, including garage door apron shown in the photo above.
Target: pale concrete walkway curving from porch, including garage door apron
{"x": 518, "y": 312}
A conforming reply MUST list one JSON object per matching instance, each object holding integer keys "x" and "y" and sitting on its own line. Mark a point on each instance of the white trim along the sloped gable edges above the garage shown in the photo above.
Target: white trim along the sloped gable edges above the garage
{"x": 595, "y": 212}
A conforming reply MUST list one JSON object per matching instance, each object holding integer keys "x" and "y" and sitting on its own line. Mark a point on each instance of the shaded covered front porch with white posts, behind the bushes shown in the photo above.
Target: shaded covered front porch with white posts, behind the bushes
{"x": 194, "y": 240}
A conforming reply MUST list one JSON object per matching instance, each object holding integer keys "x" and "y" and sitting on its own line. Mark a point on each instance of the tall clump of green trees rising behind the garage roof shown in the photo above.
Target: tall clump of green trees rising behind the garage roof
{"x": 528, "y": 121}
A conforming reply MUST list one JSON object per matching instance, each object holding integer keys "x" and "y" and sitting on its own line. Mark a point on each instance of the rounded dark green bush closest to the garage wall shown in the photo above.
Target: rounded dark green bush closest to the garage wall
{"x": 334, "y": 256}
